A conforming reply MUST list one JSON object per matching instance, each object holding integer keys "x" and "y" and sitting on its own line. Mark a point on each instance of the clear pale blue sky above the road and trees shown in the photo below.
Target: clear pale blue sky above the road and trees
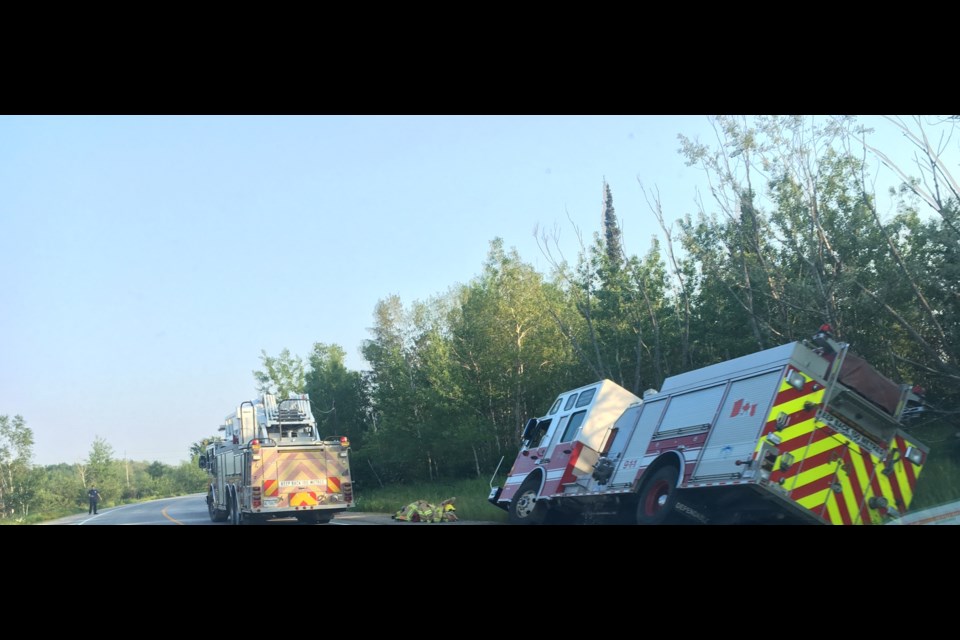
{"x": 145, "y": 261}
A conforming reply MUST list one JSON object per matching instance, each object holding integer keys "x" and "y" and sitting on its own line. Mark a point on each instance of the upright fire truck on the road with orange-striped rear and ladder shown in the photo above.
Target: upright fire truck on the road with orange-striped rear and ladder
{"x": 271, "y": 463}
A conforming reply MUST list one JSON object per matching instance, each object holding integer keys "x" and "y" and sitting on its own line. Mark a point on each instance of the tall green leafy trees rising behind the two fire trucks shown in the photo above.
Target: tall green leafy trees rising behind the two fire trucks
{"x": 789, "y": 237}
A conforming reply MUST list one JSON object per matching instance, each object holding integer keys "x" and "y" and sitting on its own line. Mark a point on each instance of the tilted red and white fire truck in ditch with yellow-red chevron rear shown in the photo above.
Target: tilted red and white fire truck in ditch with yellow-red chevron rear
{"x": 806, "y": 432}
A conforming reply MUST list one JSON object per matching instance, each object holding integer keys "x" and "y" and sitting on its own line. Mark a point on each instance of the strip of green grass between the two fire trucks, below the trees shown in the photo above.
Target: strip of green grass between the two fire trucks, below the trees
{"x": 471, "y": 498}
